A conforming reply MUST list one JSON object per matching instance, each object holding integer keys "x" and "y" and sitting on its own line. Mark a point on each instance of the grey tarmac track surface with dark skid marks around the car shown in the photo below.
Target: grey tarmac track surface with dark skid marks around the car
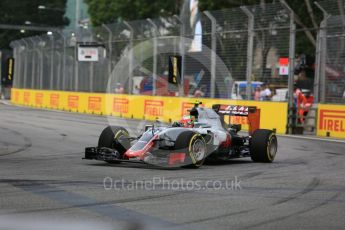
{"x": 42, "y": 177}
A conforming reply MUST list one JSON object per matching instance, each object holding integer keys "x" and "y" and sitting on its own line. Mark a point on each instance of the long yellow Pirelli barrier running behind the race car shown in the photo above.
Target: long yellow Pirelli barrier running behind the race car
{"x": 273, "y": 114}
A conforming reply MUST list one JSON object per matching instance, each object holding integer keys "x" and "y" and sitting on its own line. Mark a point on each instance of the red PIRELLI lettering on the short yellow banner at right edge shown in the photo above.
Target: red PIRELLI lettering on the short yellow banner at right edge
{"x": 332, "y": 120}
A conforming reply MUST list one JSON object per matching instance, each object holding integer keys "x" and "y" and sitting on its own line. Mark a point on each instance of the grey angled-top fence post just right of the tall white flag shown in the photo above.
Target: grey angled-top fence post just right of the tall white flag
{"x": 213, "y": 52}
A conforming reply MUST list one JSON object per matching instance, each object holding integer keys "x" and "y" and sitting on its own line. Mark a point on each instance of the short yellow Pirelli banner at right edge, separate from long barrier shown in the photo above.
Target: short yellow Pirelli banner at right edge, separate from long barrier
{"x": 331, "y": 121}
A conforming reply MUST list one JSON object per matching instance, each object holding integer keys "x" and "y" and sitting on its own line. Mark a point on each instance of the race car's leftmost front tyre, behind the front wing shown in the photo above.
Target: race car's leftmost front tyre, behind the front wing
{"x": 114, "y": 137}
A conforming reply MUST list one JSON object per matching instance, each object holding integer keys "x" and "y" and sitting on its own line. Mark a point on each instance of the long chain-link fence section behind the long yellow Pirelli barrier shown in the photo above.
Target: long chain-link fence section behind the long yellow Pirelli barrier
{"x": 249, "y": 41}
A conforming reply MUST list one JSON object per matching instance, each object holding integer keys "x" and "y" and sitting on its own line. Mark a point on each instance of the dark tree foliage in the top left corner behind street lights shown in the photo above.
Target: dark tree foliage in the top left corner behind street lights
{"x": 18, "y": 12}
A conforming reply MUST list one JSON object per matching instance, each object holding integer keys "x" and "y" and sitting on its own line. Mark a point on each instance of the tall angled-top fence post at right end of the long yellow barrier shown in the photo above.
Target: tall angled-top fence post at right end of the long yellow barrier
{"x": 292, "y": 44}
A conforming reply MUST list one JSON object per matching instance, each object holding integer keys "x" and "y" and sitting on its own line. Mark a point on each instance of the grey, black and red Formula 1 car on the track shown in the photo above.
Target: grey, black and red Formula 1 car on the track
{"x": 198, "y": 137}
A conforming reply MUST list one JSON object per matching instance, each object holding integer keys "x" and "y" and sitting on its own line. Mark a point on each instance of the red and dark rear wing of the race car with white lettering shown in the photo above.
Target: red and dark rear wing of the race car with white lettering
{"x": 251, "y": 112}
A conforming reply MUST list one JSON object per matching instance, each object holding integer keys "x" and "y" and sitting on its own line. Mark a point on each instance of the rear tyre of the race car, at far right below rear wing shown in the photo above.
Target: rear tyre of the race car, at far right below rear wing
{"x": 263, "y": 146}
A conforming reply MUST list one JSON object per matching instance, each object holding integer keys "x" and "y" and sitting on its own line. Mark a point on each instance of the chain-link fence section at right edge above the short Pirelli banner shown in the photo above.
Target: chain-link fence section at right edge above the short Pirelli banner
{"x": 330, "y": 81}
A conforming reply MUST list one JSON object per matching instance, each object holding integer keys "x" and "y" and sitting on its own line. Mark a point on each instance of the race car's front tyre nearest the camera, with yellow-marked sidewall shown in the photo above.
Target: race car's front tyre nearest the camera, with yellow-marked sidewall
{"x": 194, "y": 145}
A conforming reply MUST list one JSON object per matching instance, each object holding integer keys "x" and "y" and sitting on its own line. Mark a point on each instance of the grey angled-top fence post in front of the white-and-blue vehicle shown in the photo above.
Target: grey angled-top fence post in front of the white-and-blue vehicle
{"x": 250, "y": 48}
